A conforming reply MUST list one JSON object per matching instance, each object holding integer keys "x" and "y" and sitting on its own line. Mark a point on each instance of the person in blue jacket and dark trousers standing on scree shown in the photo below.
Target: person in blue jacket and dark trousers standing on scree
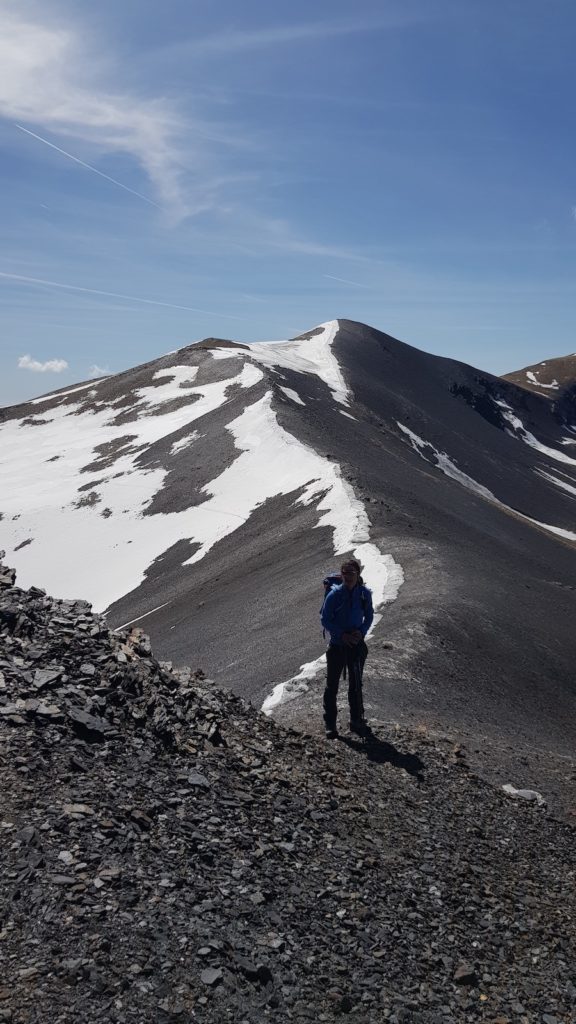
{"x": 347, "y": 615}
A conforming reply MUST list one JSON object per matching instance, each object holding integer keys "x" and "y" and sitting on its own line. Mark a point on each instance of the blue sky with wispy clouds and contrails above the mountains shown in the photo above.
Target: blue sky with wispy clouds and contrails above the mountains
{"x": 251, "y": 170}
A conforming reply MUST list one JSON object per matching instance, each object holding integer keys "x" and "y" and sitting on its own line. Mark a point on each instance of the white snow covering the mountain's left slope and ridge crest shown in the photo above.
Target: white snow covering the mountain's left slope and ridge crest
{"x": 76, "y": 550}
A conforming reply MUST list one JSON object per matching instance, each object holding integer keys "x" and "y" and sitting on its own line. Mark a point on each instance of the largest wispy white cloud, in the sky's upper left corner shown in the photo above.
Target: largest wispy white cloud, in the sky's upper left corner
{"x": 46, "y": 80}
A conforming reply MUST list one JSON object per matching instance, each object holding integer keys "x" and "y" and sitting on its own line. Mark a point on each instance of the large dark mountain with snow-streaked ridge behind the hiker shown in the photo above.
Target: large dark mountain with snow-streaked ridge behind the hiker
{"x": 205, "y": 494}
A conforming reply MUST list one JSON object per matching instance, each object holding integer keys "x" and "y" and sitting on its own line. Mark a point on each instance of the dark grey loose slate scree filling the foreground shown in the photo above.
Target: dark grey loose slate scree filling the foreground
{"x": 171, "y": 856}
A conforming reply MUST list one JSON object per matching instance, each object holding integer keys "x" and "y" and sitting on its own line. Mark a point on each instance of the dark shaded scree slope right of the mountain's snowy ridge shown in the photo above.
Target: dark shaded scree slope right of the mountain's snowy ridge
{"x": 482, "y": 630}
